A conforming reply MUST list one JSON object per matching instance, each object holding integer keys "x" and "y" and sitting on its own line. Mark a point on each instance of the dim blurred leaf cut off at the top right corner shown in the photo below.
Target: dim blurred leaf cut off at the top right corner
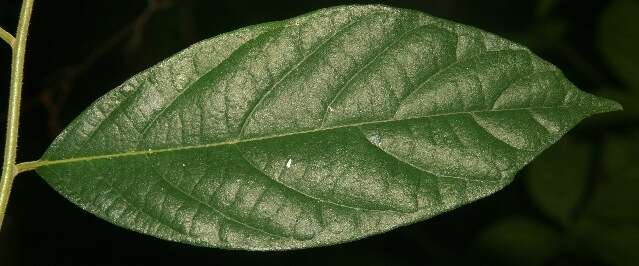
{"x": 619, "y": 39}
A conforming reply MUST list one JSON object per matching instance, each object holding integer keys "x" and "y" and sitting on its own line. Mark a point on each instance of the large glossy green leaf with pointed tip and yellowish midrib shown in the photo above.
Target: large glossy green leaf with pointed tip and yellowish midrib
{"x": 325, "y": 128}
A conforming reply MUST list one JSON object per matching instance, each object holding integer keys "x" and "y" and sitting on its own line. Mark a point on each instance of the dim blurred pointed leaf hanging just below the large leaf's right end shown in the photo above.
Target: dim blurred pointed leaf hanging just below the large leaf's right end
{"x": 555, "y": 188}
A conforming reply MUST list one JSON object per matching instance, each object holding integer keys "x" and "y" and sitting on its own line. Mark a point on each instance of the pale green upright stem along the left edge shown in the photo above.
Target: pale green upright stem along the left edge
{"x": 13, "y": 114}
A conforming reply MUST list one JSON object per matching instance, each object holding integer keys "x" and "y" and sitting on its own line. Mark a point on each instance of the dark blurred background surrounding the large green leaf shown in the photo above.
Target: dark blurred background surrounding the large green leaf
{"x": 575, "y": 205}
